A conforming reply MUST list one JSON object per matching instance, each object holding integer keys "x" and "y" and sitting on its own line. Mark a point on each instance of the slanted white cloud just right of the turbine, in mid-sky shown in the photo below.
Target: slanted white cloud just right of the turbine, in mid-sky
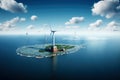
{"x": 74, "y": 20}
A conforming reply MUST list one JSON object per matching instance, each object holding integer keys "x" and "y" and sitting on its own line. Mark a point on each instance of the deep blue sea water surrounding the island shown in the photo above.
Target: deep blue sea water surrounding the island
{"x": 99, "y": 60}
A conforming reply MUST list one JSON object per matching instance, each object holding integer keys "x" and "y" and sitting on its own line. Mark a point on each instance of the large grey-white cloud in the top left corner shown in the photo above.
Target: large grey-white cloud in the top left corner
{"x": 12, "y": 6}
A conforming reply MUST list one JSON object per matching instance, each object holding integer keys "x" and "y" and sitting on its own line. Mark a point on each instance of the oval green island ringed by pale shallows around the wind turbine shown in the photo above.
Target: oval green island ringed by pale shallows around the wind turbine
{"x": 41, "y": 51}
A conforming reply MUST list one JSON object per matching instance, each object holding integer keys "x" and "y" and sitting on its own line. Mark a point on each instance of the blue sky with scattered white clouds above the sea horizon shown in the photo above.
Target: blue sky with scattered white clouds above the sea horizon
{"x": 71, "y": 15}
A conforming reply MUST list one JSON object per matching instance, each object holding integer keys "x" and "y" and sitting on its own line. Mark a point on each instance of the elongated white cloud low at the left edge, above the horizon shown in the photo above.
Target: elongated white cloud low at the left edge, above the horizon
{"x": 9, "y": 25}
